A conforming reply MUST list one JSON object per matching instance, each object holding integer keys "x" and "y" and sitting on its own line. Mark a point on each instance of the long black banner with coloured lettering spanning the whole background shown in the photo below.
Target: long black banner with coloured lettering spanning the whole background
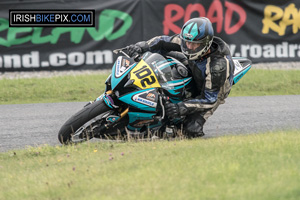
{"x": 263, "y": 32}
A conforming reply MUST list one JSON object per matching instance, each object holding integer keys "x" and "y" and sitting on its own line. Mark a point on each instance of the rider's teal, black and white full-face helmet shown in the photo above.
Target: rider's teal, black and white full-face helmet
{"x": 199, "y": 31}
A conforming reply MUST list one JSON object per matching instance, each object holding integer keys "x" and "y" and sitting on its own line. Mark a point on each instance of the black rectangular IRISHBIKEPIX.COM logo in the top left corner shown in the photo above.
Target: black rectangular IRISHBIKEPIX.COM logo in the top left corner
{"x": 57, "y": 18}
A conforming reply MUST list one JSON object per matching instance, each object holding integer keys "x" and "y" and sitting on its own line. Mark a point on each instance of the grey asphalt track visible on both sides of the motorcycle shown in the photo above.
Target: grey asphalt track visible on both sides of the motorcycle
{"x": 25, "y": 125}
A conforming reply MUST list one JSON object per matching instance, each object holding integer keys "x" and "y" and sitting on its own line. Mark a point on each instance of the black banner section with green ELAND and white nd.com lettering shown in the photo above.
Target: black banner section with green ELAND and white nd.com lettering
{"x": 65, "y": 48}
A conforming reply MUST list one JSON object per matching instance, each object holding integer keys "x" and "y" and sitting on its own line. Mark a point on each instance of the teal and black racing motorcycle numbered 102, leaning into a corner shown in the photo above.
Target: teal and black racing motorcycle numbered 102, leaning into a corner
{"x": 132, "y": 104}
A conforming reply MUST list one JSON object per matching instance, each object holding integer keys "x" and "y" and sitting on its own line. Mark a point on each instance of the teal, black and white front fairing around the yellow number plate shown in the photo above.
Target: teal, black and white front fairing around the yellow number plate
{"x": 144, "y": 104}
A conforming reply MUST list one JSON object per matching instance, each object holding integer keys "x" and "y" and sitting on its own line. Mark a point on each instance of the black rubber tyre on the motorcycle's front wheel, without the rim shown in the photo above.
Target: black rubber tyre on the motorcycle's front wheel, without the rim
{"x": 79, "y": 119}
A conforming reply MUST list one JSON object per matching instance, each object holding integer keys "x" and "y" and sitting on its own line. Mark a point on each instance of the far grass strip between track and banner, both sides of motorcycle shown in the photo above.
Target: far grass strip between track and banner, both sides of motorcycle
{"x": 88, "y": 87}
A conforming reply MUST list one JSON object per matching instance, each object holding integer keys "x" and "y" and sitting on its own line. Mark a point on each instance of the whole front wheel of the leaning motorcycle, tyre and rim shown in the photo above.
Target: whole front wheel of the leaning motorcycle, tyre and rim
{"x": 80, "y": 126}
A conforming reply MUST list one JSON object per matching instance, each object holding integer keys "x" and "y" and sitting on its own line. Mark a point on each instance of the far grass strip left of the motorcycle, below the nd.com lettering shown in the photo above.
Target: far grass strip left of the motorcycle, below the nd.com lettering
{"x": 50, "y": 90}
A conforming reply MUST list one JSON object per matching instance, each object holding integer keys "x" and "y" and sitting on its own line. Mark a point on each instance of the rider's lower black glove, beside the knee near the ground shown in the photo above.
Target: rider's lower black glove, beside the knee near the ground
{"x": 175, "y": 110}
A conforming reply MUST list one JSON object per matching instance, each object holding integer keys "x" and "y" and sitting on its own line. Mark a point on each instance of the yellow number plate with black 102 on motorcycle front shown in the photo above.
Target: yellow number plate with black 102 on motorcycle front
{"x": 144, "y": 76}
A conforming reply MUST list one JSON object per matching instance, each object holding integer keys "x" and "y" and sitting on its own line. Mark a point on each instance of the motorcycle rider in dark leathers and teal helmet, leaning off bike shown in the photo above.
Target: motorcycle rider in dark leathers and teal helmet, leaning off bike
{"x": 210, "y": 63}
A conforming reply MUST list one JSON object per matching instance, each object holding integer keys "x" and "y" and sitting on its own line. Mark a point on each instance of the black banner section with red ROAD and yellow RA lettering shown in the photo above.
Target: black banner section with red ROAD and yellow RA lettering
{"x": 264, "y": 31}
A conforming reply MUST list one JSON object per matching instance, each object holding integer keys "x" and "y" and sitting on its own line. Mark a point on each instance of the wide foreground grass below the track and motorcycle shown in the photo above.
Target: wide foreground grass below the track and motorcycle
{"x": 257, "y": 166}
